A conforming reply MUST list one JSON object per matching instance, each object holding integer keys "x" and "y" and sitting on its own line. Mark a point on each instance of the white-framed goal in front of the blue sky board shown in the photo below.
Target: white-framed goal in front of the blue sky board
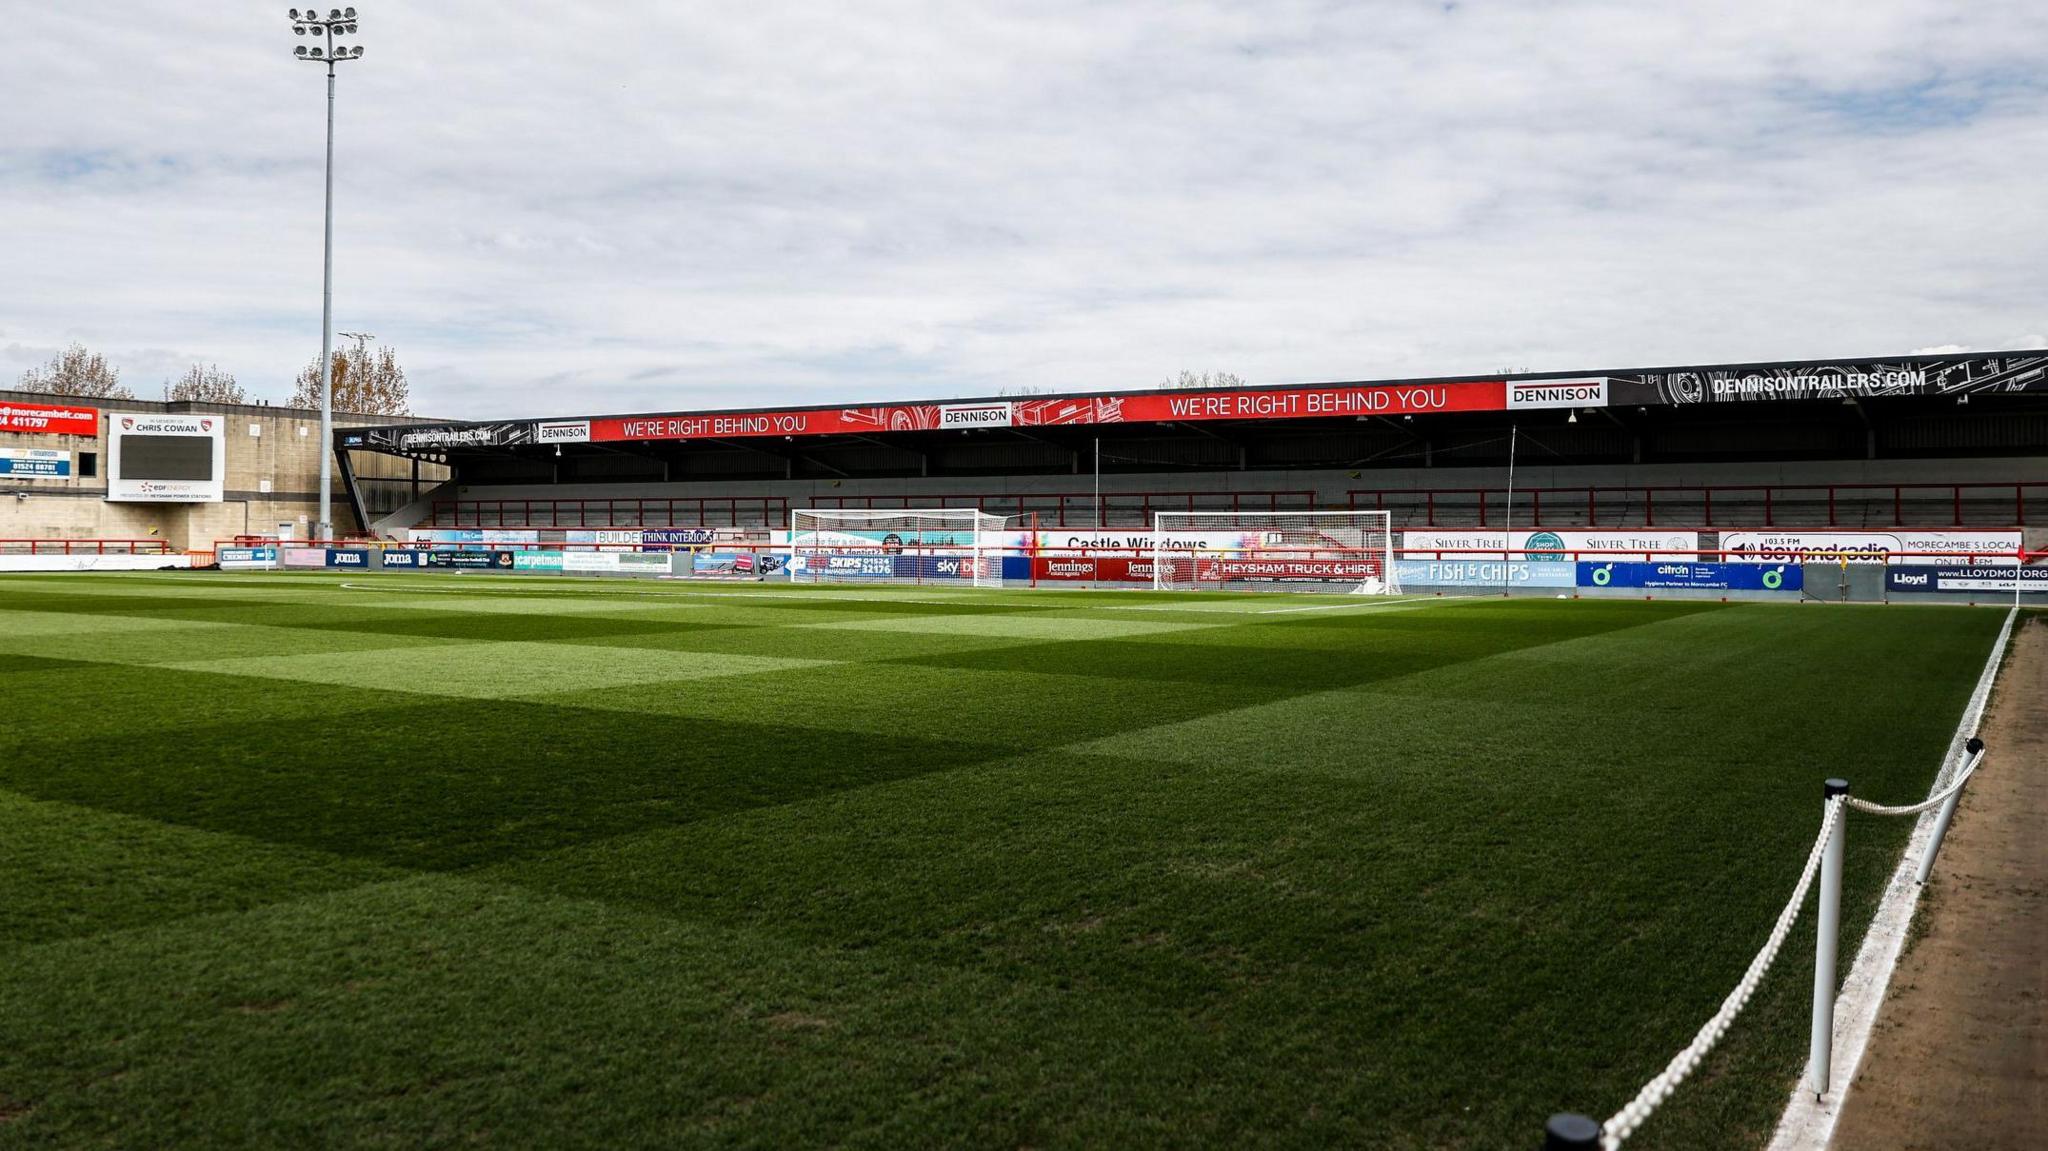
{"x": 912, "y": 546}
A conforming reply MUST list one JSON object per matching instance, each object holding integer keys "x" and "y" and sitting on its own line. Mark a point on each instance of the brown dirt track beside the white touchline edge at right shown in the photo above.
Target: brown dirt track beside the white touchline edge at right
{"x": 1961, "y": 1050}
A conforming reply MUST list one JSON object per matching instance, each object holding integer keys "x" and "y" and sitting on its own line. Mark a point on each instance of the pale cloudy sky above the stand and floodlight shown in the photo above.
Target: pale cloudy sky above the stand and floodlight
{"x": 640, "y": 206}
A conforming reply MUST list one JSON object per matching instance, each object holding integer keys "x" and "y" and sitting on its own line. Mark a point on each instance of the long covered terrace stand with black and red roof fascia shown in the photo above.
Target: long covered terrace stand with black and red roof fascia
{"x": 1920, "y": 441}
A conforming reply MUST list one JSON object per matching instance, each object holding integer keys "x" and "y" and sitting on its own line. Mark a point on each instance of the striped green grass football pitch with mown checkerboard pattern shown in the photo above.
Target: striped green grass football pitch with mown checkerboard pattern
{"x": 447, "y": 861}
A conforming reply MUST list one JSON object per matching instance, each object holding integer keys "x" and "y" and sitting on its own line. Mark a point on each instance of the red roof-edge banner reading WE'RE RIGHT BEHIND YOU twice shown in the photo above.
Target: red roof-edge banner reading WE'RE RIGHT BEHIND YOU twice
{"x": 1148, "y": 409}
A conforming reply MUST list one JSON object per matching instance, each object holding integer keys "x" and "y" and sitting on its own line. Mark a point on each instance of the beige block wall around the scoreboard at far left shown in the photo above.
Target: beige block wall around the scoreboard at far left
{"x": 273, "y": 478}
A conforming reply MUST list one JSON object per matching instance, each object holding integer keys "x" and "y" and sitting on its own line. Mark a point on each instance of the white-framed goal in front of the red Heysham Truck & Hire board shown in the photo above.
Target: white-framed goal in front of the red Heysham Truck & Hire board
{"x": 1275, "y": 552}
